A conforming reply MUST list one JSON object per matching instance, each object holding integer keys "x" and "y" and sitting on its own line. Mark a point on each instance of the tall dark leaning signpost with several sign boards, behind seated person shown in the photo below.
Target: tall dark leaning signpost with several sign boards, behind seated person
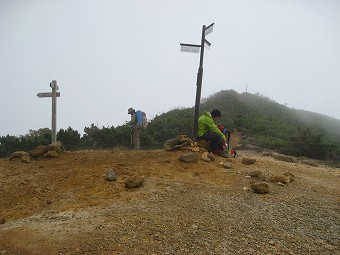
{"x": 194, "y": 48}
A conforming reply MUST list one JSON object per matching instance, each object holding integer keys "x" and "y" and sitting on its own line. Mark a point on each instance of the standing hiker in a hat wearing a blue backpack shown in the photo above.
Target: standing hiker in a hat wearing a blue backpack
{"x": 137, "y": 123}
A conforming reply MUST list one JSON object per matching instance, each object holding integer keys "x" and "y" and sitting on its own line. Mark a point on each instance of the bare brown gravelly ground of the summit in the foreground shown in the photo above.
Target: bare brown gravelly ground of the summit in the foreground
{"x": 65, "y": 205}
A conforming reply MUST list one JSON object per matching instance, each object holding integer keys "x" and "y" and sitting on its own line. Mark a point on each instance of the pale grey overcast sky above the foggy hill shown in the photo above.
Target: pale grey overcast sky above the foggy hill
{"x": 110, "y": 55}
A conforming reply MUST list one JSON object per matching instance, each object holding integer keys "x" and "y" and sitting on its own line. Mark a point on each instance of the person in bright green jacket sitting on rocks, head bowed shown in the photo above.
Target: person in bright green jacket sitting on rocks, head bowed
{"x": 208, "y": 130}
